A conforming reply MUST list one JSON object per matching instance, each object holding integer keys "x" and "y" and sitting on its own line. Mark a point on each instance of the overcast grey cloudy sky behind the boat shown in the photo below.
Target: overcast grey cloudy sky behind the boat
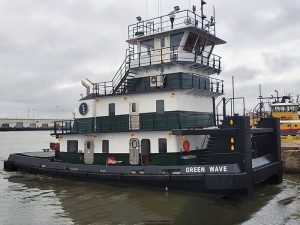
{"x": 47, "y": 47}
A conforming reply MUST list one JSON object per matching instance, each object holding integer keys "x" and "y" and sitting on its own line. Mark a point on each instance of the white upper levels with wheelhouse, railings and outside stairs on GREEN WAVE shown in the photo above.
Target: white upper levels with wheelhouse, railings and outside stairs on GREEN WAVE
{"x": 180, "y": 42}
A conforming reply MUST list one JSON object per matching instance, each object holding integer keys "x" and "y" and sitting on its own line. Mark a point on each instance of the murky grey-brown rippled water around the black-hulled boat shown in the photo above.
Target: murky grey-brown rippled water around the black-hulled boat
{"x": 29, "y": 199}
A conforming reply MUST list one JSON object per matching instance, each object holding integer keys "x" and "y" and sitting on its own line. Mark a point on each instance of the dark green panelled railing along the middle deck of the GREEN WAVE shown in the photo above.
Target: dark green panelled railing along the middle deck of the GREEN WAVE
{"x": 145, "y": 121}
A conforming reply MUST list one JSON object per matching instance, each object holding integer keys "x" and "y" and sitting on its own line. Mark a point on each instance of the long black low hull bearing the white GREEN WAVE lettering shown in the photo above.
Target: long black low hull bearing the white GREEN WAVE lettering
{"x": 198, "y": 178}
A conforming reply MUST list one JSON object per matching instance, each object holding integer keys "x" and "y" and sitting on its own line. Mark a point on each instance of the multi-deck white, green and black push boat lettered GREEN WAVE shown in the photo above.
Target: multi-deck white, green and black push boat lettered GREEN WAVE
{"x": 155, "y": 122}
